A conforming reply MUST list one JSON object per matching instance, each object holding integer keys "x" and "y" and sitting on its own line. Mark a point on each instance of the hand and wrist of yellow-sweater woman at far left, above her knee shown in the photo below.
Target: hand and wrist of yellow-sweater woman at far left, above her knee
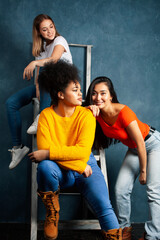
{"x": 39, "y": 155}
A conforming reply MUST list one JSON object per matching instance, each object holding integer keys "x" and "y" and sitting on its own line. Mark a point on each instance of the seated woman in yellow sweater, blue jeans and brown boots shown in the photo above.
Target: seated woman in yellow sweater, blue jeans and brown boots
{"x": 64, "y": 138}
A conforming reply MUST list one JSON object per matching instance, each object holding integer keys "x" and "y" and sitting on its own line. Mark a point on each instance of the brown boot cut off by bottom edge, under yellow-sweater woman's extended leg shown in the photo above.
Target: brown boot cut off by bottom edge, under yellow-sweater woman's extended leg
{"x": 113, "y": 234}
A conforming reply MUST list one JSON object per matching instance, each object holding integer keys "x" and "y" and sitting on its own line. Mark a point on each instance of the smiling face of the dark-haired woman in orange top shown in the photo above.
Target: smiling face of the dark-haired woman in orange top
{"x": 101, "y": 96}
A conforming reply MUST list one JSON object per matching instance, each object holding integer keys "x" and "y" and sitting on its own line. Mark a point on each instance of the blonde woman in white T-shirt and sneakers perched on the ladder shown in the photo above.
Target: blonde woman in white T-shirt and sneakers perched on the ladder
{"x": 48, "y": 45}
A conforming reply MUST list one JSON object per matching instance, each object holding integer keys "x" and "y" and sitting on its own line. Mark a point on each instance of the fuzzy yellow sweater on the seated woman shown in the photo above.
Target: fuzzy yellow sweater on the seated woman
{"x": 69, "y": 139}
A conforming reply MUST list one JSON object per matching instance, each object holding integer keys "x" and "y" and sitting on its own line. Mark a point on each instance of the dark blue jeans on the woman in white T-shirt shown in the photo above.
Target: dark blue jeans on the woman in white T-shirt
{"x": 15, "y": 103}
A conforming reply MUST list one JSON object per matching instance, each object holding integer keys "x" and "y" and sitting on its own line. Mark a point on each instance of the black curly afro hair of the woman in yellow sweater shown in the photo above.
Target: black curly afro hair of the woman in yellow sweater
{"x": 55, "y": 77}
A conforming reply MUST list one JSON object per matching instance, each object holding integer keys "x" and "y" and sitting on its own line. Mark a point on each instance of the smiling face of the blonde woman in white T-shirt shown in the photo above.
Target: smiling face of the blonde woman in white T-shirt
{"x": 47, "y": 30}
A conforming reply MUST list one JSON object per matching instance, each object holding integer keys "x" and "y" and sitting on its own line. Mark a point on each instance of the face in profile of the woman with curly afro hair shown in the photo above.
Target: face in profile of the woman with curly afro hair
{"x": 72, "y": 96}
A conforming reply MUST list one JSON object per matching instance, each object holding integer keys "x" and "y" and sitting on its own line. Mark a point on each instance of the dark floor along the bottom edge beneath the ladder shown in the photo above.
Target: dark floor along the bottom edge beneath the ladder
{"x": 22, "y": 232}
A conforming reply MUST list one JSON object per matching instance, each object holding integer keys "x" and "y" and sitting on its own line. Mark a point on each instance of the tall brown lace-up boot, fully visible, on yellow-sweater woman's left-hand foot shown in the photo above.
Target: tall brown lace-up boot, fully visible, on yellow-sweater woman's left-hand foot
{"x": 51, "y": 202}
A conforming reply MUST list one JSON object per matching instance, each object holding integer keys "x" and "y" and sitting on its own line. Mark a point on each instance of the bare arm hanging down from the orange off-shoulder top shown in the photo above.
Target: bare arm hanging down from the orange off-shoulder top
{"x": 135, "y": 134}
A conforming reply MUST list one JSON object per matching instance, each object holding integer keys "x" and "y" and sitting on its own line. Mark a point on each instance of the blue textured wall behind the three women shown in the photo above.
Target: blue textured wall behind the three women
{"x": 126, "y": 39}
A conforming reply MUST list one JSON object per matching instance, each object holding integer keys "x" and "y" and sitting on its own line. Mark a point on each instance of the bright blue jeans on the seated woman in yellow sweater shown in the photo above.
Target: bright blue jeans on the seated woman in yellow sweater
{"x": 50, "y": 176}
